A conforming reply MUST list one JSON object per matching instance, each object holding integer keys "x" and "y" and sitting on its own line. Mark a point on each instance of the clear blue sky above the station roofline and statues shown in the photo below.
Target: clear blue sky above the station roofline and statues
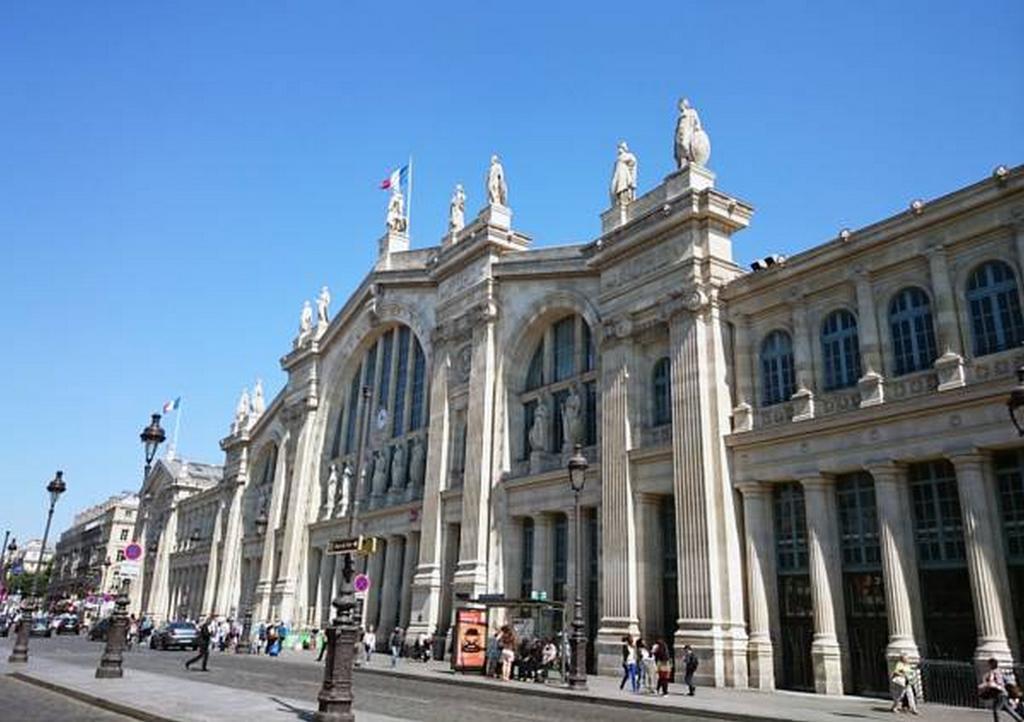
{"x": 176, "y": 179}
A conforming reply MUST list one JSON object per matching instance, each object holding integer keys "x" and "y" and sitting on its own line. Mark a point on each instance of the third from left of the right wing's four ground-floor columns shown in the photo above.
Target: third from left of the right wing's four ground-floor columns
{"x": 900, "y": 562}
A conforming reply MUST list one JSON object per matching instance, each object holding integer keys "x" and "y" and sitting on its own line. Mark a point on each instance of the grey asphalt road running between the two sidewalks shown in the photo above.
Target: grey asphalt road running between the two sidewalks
{"x": 414, "y": 700}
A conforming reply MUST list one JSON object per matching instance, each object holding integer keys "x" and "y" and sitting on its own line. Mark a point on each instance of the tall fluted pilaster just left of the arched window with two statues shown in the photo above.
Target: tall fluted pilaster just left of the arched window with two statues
{"x": 472, "y": 573}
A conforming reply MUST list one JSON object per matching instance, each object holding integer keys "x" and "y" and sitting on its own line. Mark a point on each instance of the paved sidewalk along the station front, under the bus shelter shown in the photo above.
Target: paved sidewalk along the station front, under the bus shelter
{"x": 750, "y": 705}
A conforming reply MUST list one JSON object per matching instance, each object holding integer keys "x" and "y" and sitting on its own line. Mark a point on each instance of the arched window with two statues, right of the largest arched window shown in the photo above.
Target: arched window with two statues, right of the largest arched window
{"x": 561, "y": 379}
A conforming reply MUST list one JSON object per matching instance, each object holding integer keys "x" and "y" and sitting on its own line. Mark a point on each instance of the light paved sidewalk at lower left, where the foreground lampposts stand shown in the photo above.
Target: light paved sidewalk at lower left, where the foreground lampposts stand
{"x": 158, "y": 698}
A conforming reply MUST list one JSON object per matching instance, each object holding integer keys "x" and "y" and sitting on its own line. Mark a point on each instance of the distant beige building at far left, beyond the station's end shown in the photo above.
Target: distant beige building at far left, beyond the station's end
{"x": 90, "y": 553}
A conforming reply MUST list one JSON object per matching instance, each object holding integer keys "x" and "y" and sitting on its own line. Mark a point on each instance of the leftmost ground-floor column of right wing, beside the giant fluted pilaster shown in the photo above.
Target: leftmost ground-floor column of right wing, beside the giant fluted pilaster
{"x": 762, "y": 592}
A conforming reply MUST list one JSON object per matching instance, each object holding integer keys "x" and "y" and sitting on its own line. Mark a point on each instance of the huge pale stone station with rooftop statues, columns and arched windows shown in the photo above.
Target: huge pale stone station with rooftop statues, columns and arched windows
{"x": 797, "y": 471}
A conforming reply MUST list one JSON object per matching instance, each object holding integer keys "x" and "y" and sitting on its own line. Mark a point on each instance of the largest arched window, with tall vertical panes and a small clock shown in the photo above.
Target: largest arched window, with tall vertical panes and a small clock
{"x": 395, "y": 370}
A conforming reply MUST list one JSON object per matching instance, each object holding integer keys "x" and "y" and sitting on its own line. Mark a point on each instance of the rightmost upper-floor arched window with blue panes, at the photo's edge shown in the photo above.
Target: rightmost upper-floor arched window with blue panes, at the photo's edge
{"x": 996, "y": 309}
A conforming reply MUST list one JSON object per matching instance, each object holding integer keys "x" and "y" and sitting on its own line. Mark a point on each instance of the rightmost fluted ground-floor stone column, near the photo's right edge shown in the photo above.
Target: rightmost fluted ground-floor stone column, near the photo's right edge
{"x": 990, "y": 584}
